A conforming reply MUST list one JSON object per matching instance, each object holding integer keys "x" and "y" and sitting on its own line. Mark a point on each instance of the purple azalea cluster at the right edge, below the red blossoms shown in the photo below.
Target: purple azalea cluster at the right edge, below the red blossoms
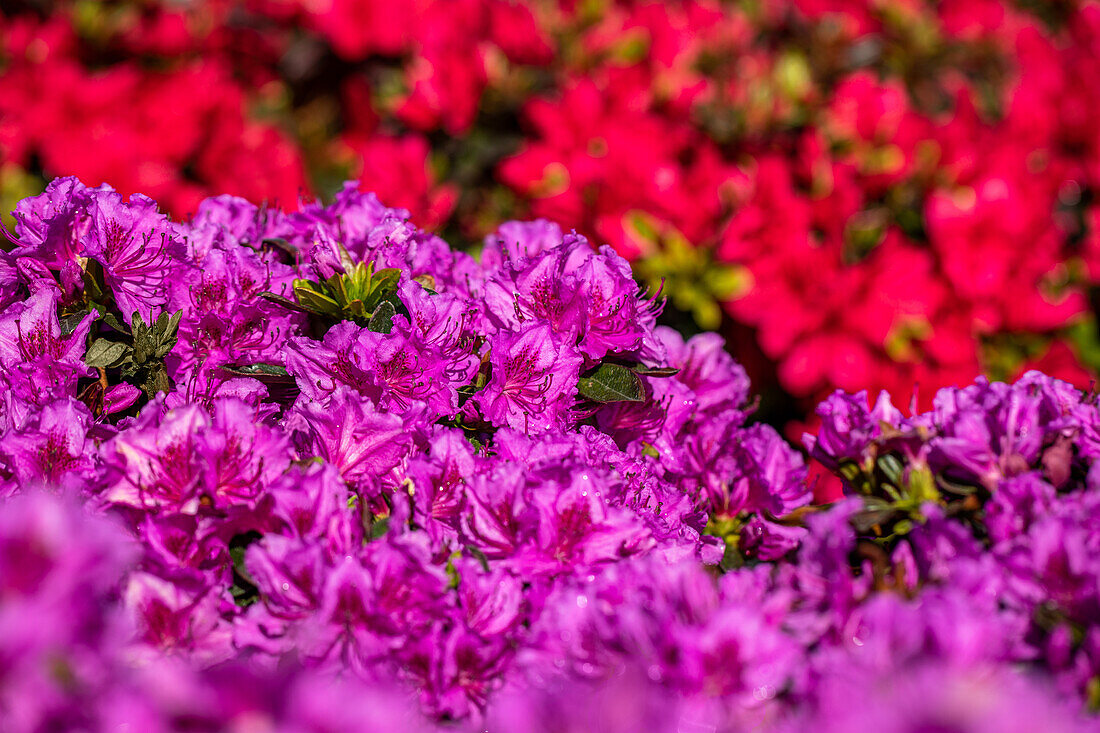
{"x": 984, "y": 517}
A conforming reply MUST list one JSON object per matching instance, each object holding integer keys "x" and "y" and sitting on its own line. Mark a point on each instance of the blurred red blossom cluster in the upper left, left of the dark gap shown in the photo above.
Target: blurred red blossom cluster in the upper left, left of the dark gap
{"x": 179, "y": 130}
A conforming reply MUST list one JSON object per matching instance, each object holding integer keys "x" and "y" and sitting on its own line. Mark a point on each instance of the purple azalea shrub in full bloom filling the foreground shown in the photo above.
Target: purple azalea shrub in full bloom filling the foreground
{"x": 321, "y": 472}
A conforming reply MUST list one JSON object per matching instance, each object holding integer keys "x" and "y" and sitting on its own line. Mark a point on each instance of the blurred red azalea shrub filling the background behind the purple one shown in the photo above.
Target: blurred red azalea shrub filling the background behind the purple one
{"x": 861, "y": 194}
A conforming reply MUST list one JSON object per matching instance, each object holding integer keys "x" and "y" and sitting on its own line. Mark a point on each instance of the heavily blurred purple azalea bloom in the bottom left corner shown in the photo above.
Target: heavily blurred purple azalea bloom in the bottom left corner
{"x": 60, "y": 573}
